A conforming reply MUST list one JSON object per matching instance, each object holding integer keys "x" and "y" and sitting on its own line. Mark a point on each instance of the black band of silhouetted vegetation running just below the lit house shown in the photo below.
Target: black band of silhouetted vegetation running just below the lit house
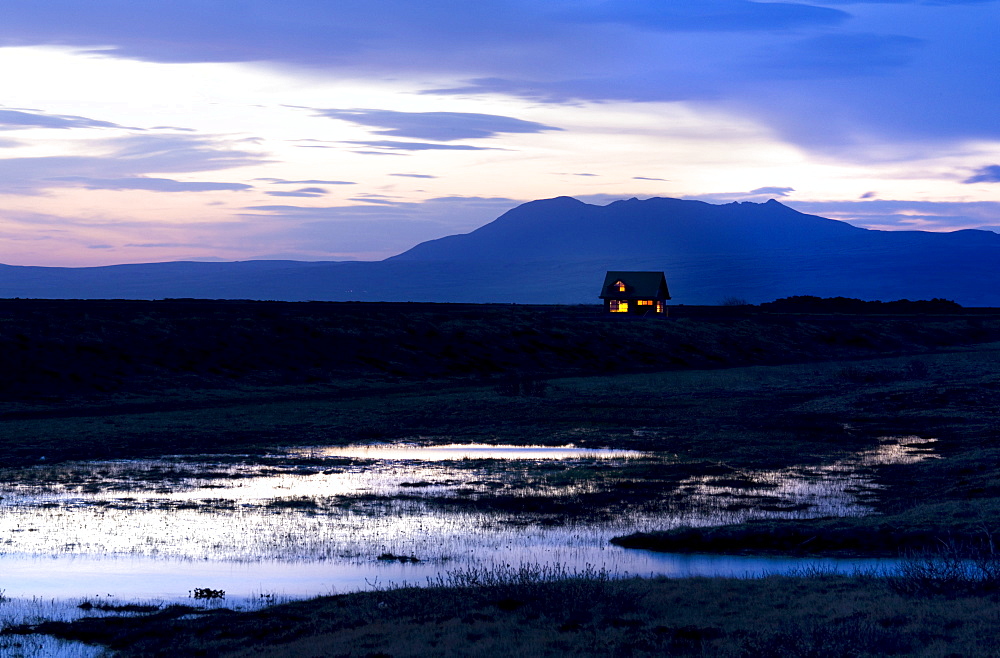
{"x": 59, "y": 350}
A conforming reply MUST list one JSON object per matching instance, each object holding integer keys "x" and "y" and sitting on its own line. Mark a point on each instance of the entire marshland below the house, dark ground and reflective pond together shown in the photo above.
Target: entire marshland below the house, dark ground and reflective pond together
{"x": 488, "y": 477}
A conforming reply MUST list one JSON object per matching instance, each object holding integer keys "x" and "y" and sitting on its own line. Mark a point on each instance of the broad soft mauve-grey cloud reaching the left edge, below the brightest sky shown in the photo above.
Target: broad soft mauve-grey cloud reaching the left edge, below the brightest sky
{"x": 123, "y": 163}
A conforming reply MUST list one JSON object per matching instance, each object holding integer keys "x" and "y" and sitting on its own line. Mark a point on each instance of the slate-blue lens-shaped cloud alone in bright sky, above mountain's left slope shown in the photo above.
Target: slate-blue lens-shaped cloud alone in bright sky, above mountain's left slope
{"x": 437, "y": 126}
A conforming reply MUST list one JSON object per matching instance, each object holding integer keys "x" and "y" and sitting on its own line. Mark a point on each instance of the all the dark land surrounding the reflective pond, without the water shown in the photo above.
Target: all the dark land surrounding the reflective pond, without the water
{"x": 727, "y": 390}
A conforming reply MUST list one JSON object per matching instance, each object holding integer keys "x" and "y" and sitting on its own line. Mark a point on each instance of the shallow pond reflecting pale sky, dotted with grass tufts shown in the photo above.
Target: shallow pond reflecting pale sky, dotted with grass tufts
{"x": 320, "y": 520}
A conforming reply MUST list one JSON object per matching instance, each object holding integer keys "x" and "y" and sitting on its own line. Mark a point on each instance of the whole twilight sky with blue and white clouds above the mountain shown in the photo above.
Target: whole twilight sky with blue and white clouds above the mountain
{"x": 157, "y": 130}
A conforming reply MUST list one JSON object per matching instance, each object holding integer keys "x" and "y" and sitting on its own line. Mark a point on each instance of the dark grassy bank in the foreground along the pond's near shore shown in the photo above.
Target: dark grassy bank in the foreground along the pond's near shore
{"x": 531, "y": 612}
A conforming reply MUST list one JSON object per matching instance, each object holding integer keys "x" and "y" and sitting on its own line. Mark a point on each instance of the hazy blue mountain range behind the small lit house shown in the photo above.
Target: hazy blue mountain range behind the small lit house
{"x": 557, "y": 250}
